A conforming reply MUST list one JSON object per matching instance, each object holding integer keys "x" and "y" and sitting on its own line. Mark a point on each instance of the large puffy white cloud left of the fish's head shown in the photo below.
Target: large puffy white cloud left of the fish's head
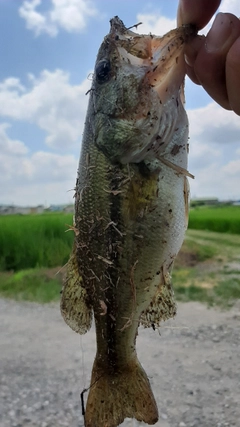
{"x": 51, "y": 102}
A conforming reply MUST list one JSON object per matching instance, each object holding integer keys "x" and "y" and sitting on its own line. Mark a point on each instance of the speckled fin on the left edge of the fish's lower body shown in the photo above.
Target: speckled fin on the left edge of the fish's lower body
{"x": 75, "y": 308}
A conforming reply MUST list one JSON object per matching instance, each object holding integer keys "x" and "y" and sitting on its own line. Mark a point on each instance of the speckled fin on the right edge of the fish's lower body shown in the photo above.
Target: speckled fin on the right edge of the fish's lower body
{"x": 163, "y": 305}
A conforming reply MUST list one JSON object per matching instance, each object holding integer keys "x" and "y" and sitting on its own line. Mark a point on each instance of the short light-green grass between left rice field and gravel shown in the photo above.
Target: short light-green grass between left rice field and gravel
{"x": 30, "y": 285}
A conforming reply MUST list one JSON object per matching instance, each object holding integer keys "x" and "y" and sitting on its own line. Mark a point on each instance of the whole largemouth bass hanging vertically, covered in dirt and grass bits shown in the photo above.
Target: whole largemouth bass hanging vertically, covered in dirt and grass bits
{"x": 131, "y": 213}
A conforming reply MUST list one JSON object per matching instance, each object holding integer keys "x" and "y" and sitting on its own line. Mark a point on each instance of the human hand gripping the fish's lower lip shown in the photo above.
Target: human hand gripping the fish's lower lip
{"x": 214, "y": 61}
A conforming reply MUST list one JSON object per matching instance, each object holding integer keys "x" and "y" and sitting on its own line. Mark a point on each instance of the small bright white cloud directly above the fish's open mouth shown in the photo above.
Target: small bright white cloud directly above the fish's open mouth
{"x": 155, "y": 24}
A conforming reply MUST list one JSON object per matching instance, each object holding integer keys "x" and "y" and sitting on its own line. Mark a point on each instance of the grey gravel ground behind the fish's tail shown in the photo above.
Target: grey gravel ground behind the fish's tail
{"x": 193, "y": 367}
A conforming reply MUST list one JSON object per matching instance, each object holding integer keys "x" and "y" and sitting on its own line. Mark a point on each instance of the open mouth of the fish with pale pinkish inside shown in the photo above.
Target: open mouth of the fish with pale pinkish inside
{"x": 163, "y": 56}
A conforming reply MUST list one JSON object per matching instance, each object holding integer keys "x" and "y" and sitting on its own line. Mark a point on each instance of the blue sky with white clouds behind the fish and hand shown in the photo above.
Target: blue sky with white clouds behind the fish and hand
{"x": 48, "y": 49}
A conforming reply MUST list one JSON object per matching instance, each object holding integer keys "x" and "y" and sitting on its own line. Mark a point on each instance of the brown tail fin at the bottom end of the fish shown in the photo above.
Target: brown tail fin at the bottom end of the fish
{"x": 123, "y": 394}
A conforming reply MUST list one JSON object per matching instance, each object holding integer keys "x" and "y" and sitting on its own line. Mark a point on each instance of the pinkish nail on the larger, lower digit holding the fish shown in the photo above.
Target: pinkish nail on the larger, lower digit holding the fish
{"x": 219, "y": 33}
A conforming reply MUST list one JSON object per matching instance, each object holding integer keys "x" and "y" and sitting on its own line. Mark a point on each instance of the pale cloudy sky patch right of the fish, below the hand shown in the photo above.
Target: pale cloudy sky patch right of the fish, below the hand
{"x": 214, "y": 158}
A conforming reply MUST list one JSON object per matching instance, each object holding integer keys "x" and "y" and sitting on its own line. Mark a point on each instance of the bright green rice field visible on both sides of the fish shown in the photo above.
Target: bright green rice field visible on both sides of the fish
{"x": 33, "y": 241}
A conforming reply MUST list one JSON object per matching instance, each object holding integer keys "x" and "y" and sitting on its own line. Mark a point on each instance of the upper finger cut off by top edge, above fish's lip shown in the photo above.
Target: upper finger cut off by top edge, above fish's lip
{"x": 197, "y": 12}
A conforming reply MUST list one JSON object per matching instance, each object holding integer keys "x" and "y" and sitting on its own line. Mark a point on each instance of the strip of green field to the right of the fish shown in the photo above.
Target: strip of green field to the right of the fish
{"x": 223, "y": 219}
